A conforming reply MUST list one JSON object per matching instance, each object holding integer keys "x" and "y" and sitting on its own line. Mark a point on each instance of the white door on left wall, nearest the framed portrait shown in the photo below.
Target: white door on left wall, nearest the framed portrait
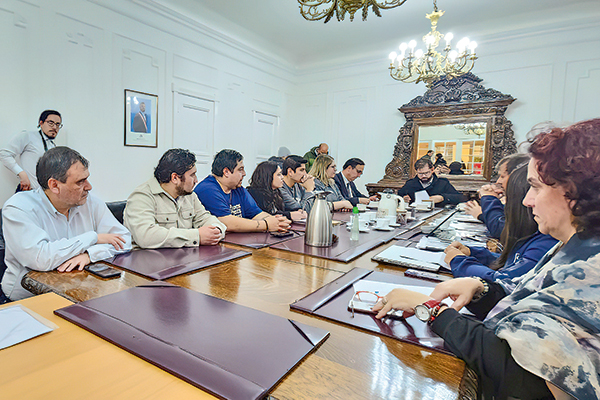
{"x": 193, "y": 129}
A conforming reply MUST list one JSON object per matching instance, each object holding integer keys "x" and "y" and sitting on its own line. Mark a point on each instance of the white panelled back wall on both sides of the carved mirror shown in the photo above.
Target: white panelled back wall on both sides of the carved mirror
{"x": 553, "y": 73}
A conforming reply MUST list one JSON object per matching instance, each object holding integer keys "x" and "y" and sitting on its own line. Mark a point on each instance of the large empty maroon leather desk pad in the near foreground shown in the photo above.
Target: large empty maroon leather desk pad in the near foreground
{"x": 229, "y": 350}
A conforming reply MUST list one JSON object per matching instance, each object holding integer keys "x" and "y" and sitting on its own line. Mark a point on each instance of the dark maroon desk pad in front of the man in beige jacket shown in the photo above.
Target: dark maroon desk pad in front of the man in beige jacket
{"x": 167, "y": 263}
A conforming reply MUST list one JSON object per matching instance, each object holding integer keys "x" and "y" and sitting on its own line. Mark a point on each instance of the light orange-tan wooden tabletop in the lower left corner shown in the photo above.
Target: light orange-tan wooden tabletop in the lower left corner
{"x": 71, "y": 363}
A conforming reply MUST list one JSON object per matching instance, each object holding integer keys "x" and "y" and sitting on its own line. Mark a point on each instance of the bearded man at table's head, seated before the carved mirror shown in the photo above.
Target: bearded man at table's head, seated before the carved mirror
{"x": 440, "y": 190}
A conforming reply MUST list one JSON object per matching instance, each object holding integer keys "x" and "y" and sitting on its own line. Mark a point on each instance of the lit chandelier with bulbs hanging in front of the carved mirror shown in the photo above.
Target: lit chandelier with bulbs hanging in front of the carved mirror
{"x": 415, "y": 65}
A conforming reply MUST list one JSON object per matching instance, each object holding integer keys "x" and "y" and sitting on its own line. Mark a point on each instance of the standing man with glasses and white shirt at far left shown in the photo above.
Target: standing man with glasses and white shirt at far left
{"x": 22, "y": 153}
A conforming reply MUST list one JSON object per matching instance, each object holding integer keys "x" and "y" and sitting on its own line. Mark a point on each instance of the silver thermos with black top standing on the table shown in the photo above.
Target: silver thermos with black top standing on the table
{"x": 319, "y": 225}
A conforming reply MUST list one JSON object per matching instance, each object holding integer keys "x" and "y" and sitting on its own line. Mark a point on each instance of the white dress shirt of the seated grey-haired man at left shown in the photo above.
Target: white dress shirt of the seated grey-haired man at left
{"x": 40, "y": 238}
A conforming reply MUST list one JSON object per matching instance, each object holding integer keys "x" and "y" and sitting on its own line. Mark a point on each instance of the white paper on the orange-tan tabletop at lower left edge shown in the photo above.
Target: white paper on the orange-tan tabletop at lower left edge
{"x": 18, "y": 324}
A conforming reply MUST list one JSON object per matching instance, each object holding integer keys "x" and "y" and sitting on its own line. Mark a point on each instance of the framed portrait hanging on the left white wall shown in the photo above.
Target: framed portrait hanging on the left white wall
{"x": 141, "y": 119}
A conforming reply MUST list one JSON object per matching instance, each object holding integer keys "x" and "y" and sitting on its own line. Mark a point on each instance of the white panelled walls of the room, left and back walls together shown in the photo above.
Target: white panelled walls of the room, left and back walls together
{"x": 78, "y": 56}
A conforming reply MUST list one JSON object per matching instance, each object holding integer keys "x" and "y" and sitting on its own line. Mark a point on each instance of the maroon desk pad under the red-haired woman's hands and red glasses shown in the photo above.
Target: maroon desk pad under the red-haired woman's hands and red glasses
{"x": 331, "y": 302}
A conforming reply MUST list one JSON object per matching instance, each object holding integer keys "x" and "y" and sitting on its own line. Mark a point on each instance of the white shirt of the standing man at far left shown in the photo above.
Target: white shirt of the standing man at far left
{"x": 28, "y": 147}
